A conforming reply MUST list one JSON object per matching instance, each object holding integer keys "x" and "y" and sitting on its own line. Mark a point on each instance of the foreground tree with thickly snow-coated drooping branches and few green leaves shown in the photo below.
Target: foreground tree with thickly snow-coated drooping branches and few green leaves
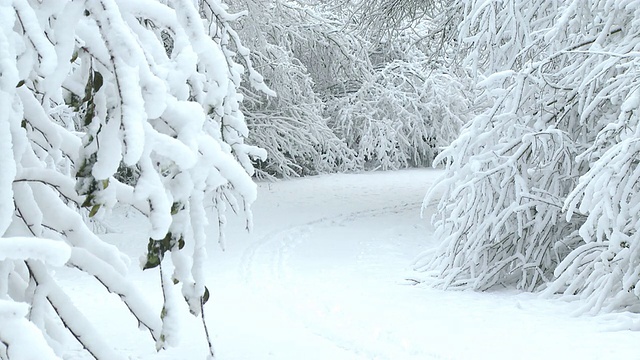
{"x": 90, "y": 90}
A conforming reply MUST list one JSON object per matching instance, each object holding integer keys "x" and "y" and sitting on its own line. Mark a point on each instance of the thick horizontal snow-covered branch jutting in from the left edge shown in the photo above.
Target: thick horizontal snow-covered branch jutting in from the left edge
{"x": 52, "y": 252}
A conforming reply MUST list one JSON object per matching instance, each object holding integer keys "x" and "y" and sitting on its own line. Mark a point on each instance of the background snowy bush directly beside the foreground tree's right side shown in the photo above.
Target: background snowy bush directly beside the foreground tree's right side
{"x": 289, "y": 126}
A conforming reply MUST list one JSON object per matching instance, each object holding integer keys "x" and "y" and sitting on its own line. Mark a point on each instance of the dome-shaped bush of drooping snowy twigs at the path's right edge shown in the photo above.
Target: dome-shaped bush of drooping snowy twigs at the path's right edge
{"x": 500, "y": 214}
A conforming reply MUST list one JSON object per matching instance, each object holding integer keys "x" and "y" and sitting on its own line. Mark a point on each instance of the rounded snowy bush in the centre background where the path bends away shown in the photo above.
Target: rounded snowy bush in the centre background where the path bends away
{"x": 411, "y": 103}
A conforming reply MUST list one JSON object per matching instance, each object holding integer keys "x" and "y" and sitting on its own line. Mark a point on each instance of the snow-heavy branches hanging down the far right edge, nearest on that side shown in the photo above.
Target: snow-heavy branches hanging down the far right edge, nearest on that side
{"x": 604, "y": 70}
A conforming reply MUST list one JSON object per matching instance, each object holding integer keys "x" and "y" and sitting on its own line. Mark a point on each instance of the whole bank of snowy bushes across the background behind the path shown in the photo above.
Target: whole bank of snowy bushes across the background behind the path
{"x": 341, "y": 100}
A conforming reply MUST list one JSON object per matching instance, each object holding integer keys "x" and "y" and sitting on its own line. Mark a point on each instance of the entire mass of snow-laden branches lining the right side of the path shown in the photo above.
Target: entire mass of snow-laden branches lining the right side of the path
{"x": 543, "y": 183}
